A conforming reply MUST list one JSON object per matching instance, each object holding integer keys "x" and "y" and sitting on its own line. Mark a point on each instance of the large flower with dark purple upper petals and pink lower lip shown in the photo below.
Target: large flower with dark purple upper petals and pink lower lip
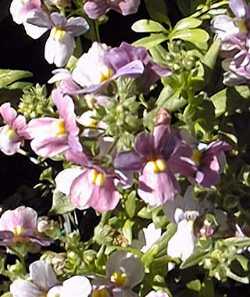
{"x": 157, "y": 157}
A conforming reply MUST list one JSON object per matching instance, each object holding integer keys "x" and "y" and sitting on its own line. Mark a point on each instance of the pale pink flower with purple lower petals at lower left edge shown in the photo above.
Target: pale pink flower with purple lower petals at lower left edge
{"x": 20, "y": 225}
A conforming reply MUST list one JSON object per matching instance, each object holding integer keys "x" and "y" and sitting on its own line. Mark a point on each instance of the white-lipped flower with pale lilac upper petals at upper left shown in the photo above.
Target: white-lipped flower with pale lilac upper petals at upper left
{"x": 60, "y": 44}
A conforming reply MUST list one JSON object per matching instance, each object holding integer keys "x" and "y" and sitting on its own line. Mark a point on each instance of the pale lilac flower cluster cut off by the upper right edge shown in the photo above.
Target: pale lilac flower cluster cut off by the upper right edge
{"x": 234, "y": 33}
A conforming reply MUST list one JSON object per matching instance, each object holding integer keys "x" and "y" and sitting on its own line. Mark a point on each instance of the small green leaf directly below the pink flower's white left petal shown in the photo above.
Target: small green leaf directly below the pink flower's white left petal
{"x": 61, "y": 204}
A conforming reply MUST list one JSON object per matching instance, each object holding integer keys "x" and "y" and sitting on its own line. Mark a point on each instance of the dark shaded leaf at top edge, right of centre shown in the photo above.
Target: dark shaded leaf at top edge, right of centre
{"x": 157, "y": 10}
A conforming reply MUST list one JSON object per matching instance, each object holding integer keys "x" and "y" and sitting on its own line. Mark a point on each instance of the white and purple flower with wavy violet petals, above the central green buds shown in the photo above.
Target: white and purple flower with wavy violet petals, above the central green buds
{"x": 125, "y": 60}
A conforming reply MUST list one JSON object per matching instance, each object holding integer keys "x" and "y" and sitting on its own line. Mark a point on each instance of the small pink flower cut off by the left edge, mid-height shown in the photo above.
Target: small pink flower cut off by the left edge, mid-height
{"x": 12, "y": 134}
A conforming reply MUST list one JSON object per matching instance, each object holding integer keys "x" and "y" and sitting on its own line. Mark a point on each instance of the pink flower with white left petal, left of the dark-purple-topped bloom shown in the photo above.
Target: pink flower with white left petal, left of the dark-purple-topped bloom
{"x": 91, "y": 186}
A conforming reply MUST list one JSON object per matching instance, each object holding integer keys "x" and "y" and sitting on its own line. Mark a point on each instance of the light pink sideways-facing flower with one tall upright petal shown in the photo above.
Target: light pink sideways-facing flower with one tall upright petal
{"x": 53, "y": 136}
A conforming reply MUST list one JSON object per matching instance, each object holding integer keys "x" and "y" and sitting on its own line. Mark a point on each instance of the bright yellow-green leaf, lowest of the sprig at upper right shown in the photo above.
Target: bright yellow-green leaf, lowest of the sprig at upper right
{"x": 198, "y": 37}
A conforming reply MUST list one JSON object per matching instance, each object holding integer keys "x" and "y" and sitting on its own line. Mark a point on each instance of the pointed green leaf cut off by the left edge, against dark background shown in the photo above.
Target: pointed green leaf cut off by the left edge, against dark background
{"x": 8, "y": 76}
